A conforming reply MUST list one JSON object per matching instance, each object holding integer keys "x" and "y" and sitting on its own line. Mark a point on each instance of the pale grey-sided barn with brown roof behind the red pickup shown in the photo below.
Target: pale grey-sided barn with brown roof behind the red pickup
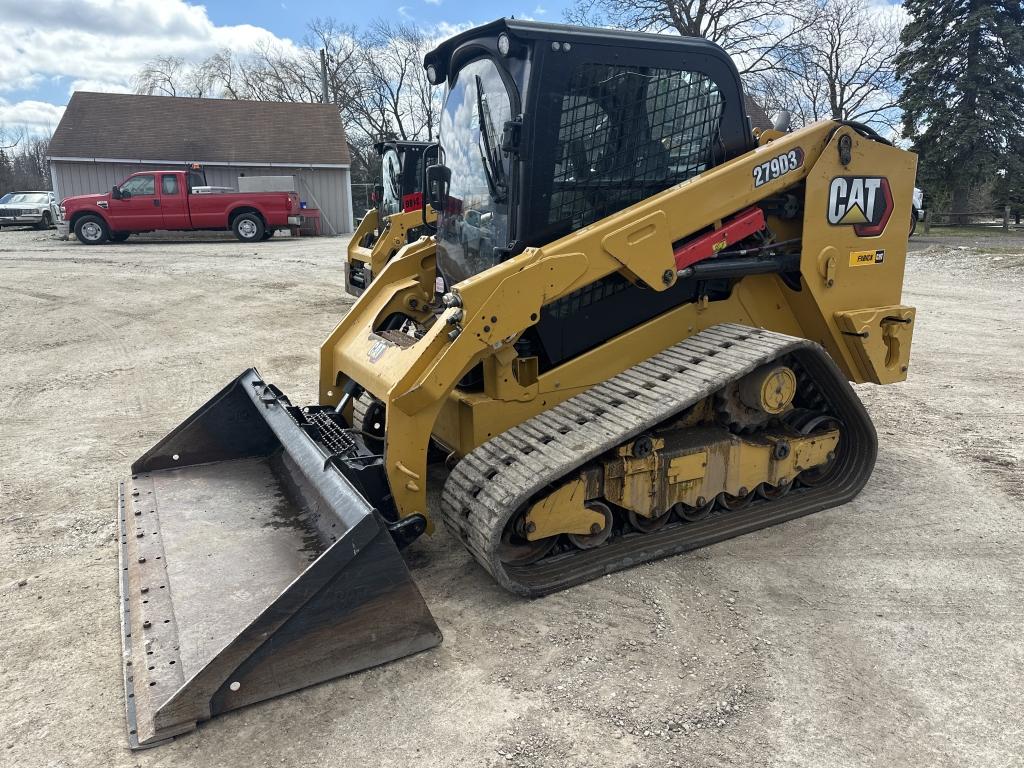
{"x": 104, "y": 138}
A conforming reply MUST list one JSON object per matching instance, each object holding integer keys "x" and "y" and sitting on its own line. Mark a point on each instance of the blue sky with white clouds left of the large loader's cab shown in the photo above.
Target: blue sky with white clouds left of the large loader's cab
{"x": 51, "y": 49}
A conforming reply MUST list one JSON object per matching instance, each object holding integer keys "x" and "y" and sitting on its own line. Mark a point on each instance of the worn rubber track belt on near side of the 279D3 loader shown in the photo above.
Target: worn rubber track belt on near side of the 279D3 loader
{"x": 500, "y": 478}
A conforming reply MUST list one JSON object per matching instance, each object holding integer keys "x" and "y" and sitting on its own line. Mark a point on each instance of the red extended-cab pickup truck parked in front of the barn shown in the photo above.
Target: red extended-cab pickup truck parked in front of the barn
{"x": 164, "y": 200}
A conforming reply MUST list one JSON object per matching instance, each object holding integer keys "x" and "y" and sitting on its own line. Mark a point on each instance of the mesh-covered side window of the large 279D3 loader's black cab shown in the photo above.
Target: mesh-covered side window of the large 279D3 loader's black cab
{"x": 627, "y": 133}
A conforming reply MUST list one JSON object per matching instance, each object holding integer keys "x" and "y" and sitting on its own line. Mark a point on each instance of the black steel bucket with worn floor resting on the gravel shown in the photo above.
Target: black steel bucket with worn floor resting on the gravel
{"x": 250, "y": 568}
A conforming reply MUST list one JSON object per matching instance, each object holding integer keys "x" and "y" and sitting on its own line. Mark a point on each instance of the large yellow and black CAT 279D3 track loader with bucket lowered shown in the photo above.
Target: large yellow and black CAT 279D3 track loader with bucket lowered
{"x": 633, "y": 333}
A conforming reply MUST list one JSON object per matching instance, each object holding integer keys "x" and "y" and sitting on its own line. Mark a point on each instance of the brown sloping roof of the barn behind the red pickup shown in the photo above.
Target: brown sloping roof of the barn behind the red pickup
{"x": 132, "y": 127}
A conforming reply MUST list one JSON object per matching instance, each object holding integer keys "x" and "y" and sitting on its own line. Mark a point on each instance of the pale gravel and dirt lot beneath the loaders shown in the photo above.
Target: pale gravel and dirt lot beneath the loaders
{"x": 887, "y": 632}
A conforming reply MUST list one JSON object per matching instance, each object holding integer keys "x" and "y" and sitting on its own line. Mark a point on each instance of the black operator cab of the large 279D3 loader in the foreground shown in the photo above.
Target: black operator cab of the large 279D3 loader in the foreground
{"x": 589, "y": 121}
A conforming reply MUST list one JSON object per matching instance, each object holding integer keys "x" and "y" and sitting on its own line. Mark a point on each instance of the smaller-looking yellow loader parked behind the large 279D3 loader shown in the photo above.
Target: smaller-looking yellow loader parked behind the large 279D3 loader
{"x": 400, "y": 217}
